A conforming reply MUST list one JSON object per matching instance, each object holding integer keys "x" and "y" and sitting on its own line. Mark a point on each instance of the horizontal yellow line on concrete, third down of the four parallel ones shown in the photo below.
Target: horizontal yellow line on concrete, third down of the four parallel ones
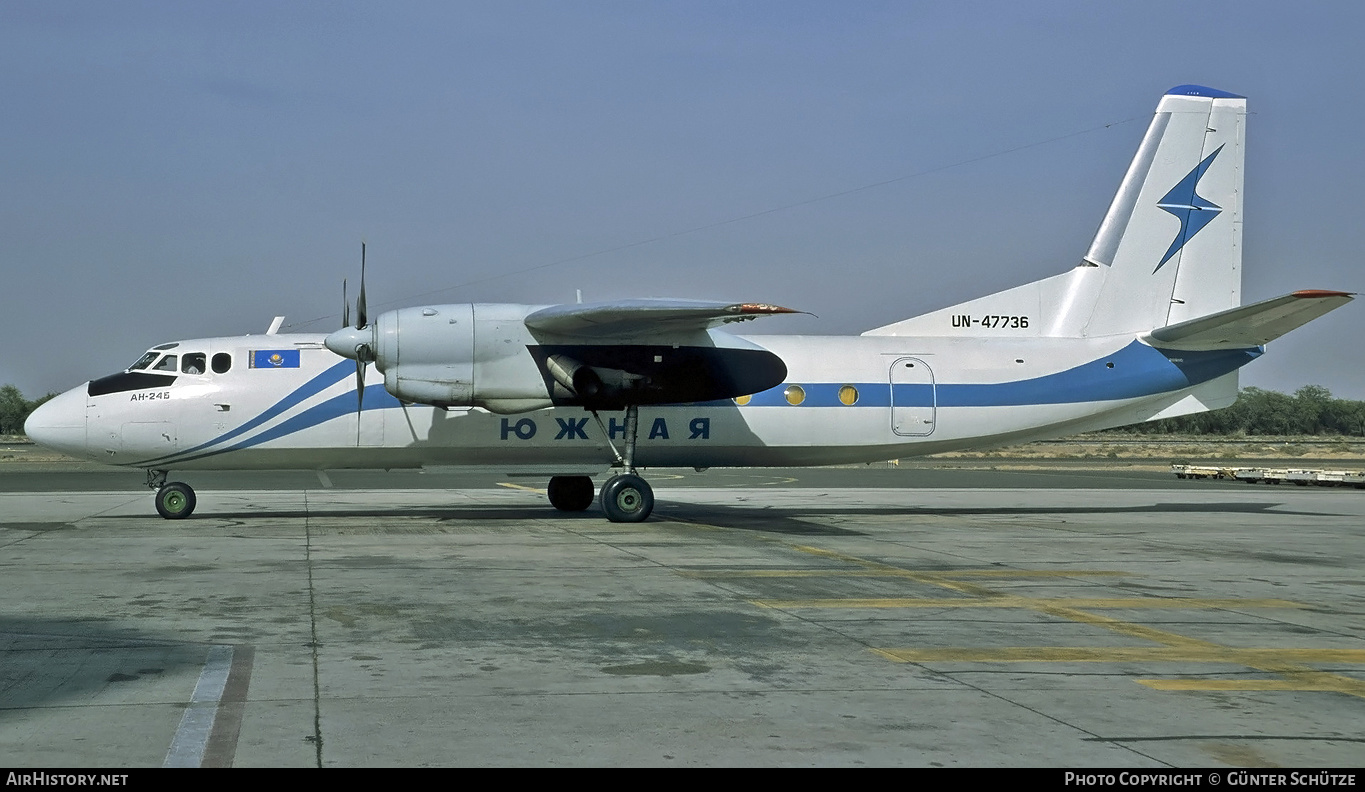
{"x": 1250, "y": 657}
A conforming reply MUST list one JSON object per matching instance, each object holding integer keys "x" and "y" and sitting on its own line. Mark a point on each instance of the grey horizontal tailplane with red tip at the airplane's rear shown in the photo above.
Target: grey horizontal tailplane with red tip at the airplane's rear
{"x": 1248, "y": 326}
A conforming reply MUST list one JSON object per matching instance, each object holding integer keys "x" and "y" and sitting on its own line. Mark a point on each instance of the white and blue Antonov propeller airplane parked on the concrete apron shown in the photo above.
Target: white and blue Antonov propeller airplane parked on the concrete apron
{"x": 1149, "y": 326}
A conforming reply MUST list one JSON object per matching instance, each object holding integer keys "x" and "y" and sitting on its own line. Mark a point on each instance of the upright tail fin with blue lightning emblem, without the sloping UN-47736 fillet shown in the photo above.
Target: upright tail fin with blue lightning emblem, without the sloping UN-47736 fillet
{"x": 1172, "y": 241}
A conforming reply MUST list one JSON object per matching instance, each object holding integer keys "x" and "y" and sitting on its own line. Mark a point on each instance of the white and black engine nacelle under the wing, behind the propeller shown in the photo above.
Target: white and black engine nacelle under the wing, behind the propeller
{"x": 484, "y": 356}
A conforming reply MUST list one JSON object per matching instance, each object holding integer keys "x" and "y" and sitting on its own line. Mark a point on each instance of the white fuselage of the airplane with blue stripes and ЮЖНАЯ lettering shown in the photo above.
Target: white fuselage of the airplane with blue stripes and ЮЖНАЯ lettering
{"x": 862, "y": 399}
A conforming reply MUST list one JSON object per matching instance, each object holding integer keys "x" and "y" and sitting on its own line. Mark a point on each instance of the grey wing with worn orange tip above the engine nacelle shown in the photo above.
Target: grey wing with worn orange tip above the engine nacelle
{"x": 645, "y": 317}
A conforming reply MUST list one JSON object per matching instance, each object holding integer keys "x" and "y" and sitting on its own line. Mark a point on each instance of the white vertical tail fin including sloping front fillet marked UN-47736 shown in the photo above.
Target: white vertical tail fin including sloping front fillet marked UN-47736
{"x": 1169, "y": 251}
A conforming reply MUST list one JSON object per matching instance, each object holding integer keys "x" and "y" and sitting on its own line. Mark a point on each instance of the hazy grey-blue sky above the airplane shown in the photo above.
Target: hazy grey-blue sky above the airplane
{"x": 185, "y": 170}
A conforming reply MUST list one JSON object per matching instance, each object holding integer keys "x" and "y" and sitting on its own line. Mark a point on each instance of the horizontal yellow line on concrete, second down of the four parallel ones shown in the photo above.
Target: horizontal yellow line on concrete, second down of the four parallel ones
{"x": 1031, "y": 603}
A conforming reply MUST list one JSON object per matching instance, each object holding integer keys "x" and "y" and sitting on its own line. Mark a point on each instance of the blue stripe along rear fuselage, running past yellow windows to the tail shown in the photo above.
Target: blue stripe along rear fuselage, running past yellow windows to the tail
{"x": 1138, "y": 371}
